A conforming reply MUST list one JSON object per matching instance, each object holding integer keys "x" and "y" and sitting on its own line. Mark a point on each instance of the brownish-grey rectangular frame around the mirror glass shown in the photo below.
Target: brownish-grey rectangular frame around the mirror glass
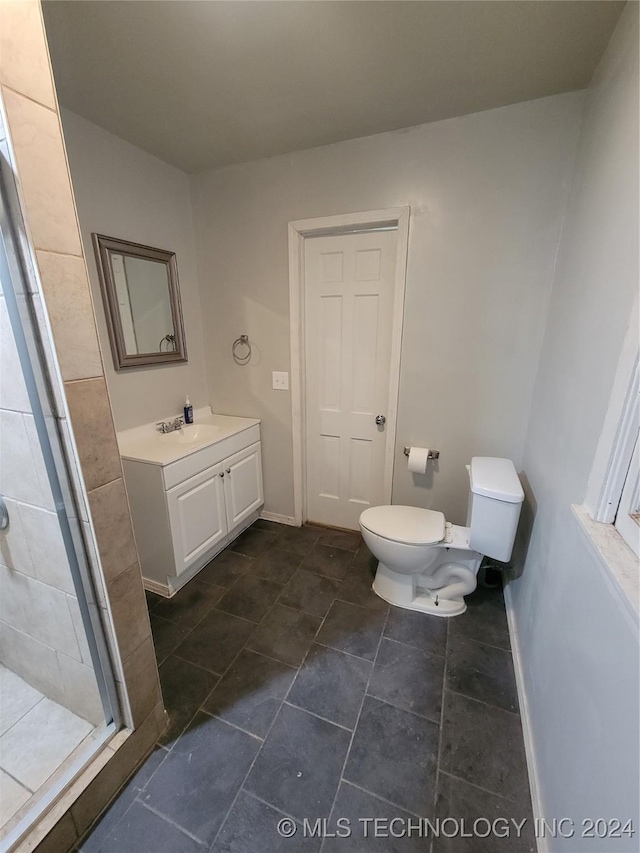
{"x": 103, "y": 246}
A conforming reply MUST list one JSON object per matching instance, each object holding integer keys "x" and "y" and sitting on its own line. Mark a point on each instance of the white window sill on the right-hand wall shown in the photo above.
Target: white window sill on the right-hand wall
{"x": 618, "y": 561}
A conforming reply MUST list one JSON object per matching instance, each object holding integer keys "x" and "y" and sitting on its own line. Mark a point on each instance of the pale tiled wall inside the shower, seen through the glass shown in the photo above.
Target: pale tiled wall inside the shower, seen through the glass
{"x": 41, "y": 633}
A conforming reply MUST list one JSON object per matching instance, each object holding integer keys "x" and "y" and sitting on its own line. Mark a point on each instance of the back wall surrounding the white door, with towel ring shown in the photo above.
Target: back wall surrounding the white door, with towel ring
{"x": 487, "y": 194}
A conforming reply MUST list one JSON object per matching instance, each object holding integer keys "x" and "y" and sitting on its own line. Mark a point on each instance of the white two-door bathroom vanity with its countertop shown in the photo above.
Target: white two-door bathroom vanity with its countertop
{"x": 190, "y": 495}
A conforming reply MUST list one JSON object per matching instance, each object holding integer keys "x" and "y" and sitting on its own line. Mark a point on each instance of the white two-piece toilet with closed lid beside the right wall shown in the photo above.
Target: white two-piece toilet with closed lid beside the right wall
{"x": 428, "y": 564}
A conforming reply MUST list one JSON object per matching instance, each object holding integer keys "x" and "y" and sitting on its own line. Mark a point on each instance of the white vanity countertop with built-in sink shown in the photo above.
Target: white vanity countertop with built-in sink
{"x": 146, "y": 444}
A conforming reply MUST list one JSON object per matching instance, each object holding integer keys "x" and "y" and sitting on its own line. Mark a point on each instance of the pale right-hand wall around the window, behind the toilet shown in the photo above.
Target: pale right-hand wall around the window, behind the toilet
{"x": 578, "y": 641}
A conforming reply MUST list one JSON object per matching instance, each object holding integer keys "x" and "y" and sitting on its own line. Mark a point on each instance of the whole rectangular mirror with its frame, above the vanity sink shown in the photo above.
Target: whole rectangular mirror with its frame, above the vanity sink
{"x": 142, "y": 302}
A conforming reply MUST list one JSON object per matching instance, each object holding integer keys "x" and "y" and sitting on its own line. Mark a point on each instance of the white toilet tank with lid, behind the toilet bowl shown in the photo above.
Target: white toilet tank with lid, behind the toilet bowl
{"x": 494, "y": 506}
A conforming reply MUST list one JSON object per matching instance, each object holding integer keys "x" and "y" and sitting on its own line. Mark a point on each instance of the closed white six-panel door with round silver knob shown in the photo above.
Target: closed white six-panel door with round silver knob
{"x": 349, "y": 296}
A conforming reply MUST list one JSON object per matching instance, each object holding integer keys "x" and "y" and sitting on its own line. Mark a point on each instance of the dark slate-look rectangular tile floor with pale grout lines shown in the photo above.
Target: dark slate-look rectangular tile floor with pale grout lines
{"x": 294, "y": 691}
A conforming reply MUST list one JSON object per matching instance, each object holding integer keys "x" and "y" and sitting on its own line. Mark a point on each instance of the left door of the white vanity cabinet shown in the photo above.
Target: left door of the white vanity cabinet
{"x": 197, "y": 516}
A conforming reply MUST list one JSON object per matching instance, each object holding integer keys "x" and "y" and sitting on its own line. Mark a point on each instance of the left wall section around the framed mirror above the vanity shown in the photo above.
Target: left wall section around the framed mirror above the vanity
{"x": 123, "y": 192}
